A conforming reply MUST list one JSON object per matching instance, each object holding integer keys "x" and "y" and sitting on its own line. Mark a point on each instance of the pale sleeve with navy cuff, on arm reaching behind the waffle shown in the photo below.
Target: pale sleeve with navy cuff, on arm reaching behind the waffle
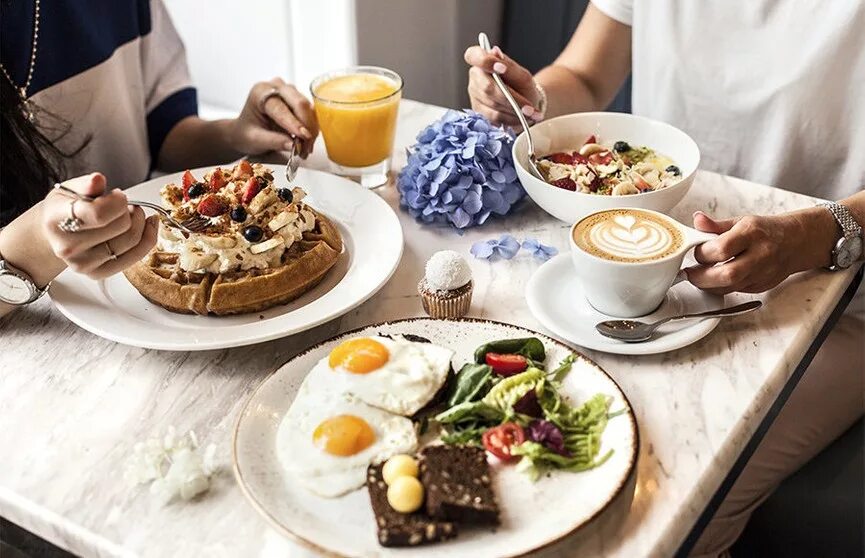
{"x": 169, "y": 95}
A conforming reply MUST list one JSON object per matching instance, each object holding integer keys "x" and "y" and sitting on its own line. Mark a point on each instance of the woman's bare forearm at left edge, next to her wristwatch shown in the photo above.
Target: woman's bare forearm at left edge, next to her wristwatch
{"x": 23, "y": 245}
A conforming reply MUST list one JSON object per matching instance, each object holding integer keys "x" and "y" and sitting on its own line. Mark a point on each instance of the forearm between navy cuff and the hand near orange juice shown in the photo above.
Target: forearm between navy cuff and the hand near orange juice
{"x": 195, "y": 142}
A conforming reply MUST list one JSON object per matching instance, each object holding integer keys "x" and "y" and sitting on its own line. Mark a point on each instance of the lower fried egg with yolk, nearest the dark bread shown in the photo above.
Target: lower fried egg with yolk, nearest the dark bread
{"x": 327, "y": 439}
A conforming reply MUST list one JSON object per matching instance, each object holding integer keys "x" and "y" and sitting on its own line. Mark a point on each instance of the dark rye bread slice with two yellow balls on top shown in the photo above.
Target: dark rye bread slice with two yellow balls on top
{"x": 402, "y": 529}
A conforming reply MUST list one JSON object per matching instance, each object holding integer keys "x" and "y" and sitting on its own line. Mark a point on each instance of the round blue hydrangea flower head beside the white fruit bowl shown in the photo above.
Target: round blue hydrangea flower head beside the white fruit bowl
{"x": 460, "y": 172}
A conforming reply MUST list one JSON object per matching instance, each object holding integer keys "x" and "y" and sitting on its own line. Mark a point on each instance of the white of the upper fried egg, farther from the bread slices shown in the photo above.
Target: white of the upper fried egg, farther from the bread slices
{"x": 410, "y": 378}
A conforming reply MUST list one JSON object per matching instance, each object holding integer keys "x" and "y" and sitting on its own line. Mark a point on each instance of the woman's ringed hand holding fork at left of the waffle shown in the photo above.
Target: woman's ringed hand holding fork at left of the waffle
{"x": 113, "y": 236}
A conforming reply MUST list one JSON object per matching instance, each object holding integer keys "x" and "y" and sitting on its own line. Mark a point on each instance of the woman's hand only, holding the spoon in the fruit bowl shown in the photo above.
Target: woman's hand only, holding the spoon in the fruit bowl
{"x": 486, "y": 97}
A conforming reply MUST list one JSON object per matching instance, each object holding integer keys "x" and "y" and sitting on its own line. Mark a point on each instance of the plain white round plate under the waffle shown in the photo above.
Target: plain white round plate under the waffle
{"x": 373, "y": 243}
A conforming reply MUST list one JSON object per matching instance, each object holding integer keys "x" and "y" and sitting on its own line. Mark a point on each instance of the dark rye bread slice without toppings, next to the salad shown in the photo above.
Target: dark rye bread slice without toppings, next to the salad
{"x": 458, "y": 485}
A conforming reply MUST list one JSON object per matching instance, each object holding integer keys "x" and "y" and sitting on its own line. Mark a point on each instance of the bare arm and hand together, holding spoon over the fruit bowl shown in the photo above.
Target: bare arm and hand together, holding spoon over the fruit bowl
{"x": 584, "y": 77}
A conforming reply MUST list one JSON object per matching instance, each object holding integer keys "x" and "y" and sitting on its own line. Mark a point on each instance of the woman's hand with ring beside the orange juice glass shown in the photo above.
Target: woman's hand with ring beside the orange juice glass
{"x": 268, "y": 121}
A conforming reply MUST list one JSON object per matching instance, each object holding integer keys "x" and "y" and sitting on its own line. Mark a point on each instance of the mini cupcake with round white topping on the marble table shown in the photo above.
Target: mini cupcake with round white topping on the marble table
{"x": 446, "y": 289}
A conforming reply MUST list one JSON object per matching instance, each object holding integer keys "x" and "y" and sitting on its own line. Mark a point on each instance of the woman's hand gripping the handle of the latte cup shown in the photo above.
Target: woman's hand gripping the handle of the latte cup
{"x": 754, "y": 254}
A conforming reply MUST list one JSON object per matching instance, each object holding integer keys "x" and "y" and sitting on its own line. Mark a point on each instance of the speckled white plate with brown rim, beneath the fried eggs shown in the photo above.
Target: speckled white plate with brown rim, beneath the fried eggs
{"x": 533, "y": 514}
